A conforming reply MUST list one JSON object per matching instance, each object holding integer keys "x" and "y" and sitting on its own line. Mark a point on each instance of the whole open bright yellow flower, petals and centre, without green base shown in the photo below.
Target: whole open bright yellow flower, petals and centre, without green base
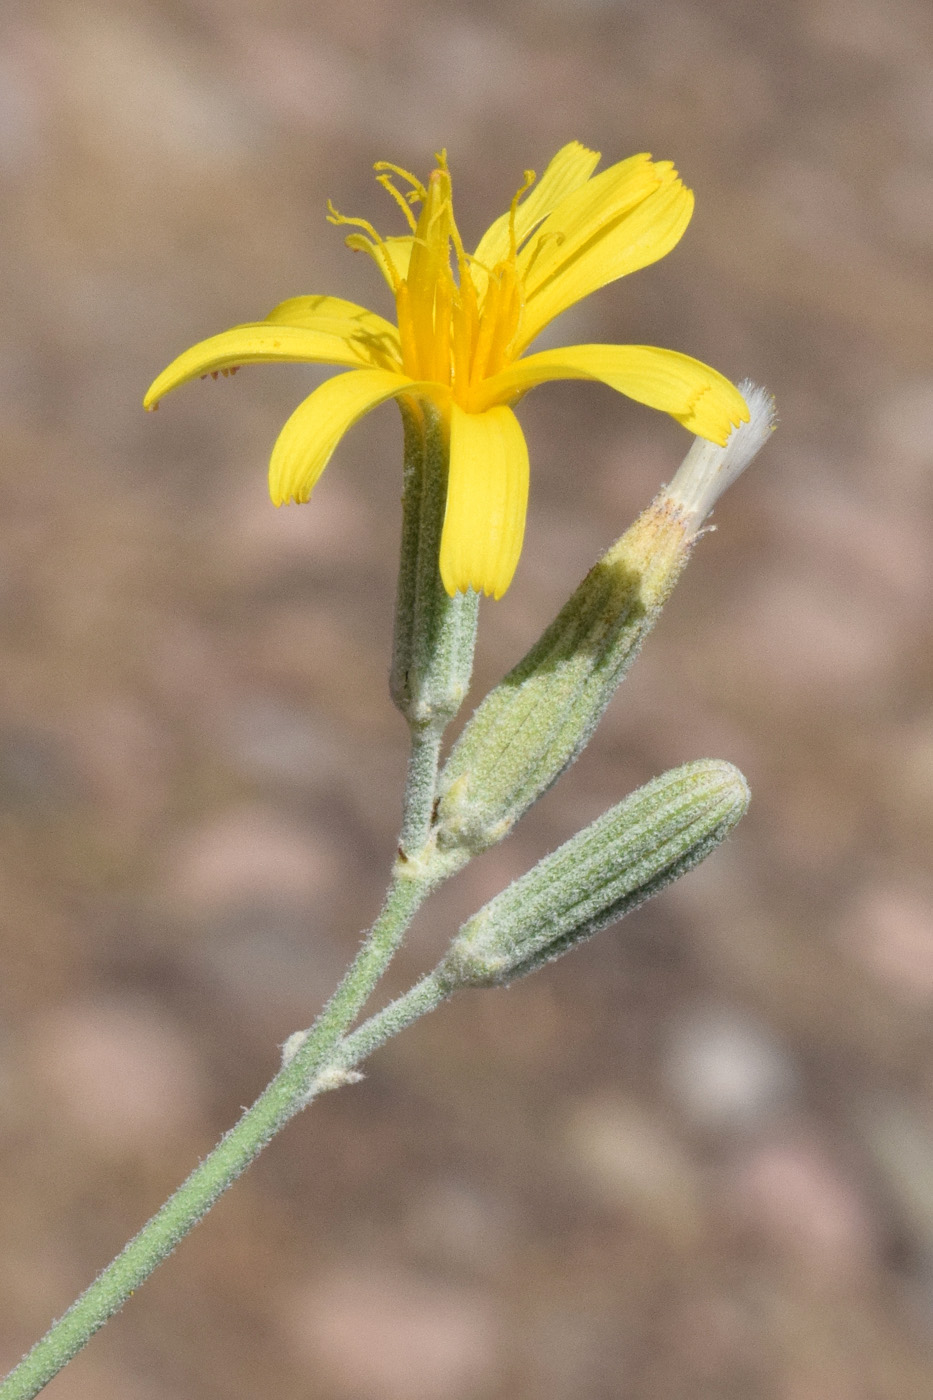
{"x": 463, "y": 327}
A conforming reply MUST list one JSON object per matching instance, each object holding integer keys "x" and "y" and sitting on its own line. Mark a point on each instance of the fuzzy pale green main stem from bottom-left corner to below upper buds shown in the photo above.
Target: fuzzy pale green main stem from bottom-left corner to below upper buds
{"x": 285, "y": 1097}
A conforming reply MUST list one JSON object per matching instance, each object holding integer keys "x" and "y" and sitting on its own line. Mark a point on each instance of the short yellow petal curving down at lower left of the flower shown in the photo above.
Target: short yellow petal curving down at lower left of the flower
{"x": 316, "y": 428}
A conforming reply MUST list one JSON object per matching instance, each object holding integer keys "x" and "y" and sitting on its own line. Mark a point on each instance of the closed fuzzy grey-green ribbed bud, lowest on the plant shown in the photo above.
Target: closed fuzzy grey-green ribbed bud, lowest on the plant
{"x": 624, "y": 859}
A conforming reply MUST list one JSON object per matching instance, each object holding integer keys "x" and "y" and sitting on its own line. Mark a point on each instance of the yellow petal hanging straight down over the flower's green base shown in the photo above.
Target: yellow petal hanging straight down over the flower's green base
{"x": 487, "y": 502}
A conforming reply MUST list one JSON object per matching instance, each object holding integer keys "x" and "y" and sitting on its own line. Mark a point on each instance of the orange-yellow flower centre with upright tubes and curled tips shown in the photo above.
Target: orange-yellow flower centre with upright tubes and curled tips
{"x": 457, "y": 320}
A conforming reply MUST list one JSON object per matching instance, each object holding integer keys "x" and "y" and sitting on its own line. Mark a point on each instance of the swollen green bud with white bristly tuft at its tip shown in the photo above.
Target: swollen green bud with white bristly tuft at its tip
{"x": 539, "y": 720}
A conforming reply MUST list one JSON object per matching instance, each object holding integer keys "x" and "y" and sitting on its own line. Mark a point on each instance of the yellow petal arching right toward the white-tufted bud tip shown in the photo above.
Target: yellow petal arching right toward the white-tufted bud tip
{"x": 694, "y": 394}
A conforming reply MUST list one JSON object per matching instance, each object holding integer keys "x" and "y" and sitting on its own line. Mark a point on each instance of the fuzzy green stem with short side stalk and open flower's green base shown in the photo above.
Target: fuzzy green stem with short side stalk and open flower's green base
{"x": 435, "y": 638}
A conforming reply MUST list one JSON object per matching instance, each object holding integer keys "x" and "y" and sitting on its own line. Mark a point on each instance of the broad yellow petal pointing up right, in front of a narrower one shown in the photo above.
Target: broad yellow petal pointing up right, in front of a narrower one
{"x": 600, "y": 234}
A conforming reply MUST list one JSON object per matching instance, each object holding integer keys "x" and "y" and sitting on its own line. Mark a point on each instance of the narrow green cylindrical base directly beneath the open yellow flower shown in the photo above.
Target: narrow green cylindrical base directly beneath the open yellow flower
{"x": 435, "y": 635}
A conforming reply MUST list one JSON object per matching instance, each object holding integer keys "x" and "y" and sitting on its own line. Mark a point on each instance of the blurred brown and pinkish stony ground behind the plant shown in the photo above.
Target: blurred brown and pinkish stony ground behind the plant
{"x": 696, "y": 1160}
